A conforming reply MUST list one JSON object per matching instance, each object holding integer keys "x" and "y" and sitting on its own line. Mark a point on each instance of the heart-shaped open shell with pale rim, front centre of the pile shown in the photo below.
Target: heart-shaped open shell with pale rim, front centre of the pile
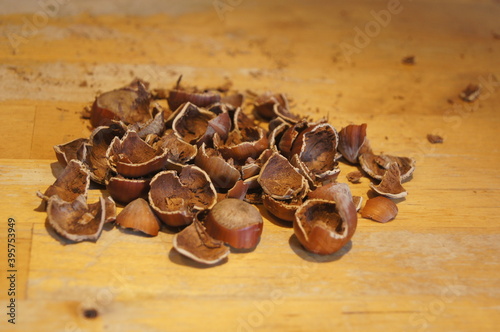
{"x": 176, "y": 198}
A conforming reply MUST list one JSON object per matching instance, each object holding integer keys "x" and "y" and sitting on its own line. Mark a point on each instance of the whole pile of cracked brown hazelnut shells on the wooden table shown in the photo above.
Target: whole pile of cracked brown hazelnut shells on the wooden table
{"x": 194, "y": 161}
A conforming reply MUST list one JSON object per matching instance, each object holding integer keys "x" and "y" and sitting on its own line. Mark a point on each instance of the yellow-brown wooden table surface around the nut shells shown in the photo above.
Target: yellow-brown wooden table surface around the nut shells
{"x": 435, "y": 267}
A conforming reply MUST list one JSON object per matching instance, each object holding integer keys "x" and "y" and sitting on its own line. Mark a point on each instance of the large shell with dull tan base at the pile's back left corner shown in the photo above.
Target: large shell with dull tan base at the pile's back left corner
{"x": 127, "y": 104}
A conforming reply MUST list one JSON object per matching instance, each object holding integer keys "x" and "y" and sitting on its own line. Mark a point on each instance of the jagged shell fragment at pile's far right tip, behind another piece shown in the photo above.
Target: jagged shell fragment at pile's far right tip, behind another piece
{"x": 377, "y": 165}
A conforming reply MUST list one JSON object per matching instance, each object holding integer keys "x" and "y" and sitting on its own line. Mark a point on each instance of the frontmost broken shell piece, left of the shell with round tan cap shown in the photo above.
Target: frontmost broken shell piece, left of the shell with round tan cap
{"x": 194, "y": 242}
